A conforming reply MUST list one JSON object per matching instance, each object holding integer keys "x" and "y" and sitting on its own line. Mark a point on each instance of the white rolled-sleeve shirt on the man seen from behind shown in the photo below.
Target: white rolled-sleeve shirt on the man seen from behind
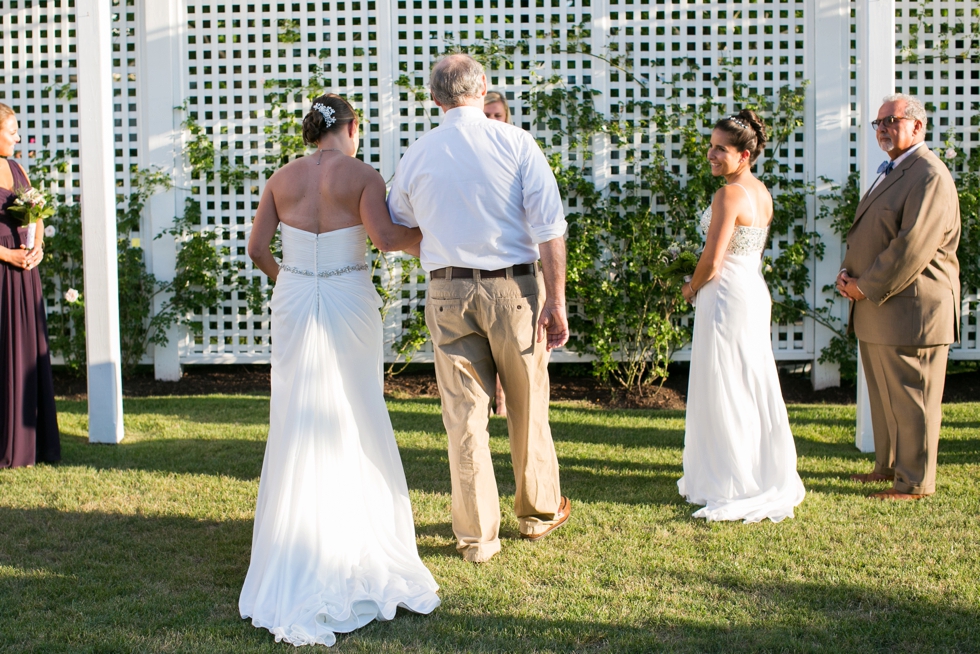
{"x": 482, "y": 192}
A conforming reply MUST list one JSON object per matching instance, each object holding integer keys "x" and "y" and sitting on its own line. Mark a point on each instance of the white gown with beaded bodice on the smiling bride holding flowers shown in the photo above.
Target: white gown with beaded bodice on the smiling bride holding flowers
{"x": 739, "y": 454}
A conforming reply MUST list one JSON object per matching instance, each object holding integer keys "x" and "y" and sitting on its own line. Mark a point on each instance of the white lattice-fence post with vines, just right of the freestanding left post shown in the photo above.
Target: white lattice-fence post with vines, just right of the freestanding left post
{"x": 160, "y": 89}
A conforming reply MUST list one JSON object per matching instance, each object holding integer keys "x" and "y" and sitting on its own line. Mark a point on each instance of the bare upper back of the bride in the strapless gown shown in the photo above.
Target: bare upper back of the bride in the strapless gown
{"x": 320, "y": 192}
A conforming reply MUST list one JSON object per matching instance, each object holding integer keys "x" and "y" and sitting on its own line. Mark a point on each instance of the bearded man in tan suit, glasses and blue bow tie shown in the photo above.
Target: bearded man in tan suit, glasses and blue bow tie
{"x": 902, "y": 277}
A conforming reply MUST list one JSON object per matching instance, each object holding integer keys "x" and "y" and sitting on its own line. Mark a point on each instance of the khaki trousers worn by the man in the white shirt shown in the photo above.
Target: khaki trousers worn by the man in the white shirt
{"x": 481, "y": 328}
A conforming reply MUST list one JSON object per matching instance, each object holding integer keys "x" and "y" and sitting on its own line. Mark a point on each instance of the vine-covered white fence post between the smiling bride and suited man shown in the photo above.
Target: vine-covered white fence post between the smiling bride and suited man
{"x": 827, "y": 119}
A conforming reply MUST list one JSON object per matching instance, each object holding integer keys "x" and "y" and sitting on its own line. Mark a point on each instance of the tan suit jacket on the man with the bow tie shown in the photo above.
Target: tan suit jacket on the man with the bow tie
{"x": 902, "y": 249}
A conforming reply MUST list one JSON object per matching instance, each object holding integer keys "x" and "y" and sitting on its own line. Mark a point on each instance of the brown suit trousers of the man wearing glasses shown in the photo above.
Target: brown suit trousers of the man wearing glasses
{"x": 905, "y": 389}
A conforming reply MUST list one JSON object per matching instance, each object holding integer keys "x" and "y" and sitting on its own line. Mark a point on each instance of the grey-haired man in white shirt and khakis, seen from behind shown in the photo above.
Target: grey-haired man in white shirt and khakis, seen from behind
{"x": 488, "y": 206}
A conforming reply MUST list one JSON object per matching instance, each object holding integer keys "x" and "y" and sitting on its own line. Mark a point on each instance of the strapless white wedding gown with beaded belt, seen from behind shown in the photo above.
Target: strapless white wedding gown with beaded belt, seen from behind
{"x": 333, "y": 545}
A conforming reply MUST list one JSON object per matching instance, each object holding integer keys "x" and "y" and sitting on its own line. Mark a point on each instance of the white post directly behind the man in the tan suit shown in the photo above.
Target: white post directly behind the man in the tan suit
{"x": 876, "y": 79}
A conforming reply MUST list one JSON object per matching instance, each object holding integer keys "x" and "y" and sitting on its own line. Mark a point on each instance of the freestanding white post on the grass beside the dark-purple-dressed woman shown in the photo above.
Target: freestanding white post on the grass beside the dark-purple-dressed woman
{"x": 98, "y": 201}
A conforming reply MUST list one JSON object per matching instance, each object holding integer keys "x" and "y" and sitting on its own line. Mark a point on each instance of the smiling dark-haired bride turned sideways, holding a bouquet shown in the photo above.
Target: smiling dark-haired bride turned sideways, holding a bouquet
{"x": 739, "y": 454}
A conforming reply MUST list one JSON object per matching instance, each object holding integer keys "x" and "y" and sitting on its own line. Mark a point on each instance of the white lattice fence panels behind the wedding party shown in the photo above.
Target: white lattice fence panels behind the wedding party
{"x": 234, "y": 56}
